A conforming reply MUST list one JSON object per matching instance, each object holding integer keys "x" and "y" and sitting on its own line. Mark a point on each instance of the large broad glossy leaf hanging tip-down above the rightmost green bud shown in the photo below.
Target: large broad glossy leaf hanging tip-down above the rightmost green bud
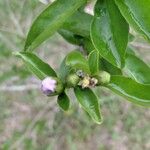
{"x": 109, "y": 32}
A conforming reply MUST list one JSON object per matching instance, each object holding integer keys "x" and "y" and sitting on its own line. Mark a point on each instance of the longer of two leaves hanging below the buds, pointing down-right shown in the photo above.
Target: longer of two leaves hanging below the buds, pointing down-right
{"x": 89, "y": 102}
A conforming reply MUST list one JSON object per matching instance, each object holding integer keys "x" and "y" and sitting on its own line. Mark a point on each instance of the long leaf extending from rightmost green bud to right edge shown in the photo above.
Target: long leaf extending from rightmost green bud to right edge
{"x": 130, "y": 89}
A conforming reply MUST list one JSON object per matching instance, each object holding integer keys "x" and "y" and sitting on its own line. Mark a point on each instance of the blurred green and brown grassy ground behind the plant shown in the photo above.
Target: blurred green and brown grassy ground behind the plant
{"x": 31, "y": 121}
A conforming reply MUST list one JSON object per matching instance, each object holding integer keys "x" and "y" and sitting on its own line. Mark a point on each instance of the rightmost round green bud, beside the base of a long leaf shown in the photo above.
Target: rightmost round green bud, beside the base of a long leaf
{"x": 103, "y": 77}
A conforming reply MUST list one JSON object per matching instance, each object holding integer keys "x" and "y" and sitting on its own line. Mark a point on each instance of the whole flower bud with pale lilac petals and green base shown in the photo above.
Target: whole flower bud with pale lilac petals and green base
{"x": 51, "y": 86}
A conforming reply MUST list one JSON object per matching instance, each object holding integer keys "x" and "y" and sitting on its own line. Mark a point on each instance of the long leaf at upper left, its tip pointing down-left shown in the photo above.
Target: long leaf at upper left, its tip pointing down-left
{"x": 50, "y": 20}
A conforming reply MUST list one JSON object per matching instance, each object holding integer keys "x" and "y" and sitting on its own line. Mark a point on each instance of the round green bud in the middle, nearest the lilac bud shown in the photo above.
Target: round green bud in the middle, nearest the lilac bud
{"x": 72, "y": 80}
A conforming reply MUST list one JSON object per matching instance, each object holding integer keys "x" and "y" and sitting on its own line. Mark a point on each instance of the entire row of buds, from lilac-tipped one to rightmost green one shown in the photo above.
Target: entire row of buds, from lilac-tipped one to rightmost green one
{"x": 53, "y": 86}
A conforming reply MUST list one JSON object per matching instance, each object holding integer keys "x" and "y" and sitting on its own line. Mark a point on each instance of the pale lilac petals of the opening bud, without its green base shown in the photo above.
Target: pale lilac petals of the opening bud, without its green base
{"x": 48, "y": 86}
